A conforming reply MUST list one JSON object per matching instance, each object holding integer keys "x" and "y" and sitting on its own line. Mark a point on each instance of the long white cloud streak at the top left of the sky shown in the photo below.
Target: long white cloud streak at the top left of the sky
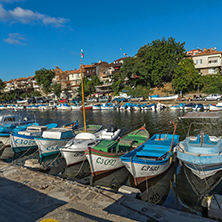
{"x": 26, "y": 16}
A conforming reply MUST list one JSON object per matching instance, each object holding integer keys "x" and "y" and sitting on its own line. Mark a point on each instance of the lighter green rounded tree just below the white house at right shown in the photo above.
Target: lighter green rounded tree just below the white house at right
{"x": 186, "y": 77}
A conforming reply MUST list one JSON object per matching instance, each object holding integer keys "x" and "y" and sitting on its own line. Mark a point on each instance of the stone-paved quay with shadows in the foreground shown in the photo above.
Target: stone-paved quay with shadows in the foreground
{"x": 27, "y": 196}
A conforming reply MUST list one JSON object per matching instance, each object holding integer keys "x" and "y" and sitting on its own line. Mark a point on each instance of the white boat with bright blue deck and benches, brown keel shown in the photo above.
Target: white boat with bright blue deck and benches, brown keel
{"x": 152, "y": 158}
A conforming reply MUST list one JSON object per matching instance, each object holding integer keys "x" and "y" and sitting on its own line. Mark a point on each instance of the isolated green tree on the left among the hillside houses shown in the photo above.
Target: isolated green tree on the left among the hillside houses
{"x": 44, "y": 78}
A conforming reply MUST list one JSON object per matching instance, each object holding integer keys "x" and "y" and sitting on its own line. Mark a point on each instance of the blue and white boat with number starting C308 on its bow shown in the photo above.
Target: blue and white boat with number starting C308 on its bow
{"x": 24, "y": 140}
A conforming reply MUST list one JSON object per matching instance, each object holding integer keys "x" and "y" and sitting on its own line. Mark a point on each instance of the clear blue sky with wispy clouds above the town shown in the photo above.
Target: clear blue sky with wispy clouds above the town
{"x": 39, "y": 34}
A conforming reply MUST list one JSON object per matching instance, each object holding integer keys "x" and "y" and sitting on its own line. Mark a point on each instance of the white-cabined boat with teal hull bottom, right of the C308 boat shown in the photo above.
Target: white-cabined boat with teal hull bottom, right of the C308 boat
{"x": 52, "y": 140}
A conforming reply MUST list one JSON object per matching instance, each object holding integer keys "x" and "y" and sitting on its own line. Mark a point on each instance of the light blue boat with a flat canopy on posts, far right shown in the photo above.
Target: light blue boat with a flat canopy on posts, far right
{"x": 201, "y": 152}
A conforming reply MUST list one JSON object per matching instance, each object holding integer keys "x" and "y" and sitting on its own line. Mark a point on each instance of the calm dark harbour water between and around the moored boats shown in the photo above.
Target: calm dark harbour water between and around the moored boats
{"x": 178, "y": 188}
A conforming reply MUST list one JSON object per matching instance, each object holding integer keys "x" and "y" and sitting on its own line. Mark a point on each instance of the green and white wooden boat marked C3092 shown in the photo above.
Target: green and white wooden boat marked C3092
{"x": 105, "y": 156}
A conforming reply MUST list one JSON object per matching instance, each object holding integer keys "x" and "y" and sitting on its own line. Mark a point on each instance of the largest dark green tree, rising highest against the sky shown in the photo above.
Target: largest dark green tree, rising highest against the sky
{"x": 155, "y": 62}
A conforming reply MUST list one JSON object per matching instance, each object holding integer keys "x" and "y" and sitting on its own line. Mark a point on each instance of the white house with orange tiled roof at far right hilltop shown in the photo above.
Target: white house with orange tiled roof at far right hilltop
{"x": 208, "y": 61}
